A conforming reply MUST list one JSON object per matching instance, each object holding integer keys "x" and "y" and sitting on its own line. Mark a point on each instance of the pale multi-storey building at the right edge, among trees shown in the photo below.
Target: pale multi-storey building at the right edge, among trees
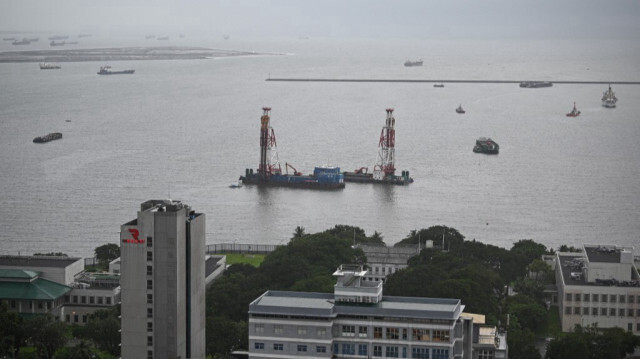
{"x": 599, "y": 285}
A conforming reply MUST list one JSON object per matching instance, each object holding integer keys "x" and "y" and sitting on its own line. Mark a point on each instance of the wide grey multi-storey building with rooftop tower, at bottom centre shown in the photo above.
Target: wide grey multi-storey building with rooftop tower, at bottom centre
{"x": 357, "y": 321}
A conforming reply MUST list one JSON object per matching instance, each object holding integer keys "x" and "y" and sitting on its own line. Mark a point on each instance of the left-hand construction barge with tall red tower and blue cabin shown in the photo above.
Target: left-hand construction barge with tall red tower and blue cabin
{"x": 269, "y": 172}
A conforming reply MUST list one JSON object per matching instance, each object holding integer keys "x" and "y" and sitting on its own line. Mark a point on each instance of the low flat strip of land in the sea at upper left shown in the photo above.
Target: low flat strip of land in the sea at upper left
{"x": 120, "y": 54}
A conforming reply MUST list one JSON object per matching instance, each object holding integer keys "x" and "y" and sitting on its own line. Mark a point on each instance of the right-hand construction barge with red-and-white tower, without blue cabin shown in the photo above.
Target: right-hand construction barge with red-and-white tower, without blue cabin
{"x": 384, "y": 170}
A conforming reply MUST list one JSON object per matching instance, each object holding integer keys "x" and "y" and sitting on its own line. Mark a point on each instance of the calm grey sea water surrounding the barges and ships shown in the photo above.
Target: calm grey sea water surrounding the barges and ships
{"x": 188, "y": 129}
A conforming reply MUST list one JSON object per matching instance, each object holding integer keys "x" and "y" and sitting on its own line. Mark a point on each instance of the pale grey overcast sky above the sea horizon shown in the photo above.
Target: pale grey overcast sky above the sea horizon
{"x": 348, "y": 18}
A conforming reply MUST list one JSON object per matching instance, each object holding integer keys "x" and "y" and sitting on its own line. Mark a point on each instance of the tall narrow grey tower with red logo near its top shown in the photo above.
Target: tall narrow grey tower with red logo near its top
{"x": 163, "y": 282}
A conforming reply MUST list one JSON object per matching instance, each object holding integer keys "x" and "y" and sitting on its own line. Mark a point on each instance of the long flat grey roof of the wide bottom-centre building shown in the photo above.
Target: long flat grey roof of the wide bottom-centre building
{"x": 323, "y": 304}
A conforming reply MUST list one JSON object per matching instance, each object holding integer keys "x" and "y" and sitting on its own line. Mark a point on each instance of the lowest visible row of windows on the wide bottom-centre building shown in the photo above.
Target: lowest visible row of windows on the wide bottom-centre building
{"x": 378, "y": 350}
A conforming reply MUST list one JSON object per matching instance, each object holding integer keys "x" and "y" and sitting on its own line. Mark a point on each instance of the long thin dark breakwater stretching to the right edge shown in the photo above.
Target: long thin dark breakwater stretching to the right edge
{"x": 455, "y": 81}
